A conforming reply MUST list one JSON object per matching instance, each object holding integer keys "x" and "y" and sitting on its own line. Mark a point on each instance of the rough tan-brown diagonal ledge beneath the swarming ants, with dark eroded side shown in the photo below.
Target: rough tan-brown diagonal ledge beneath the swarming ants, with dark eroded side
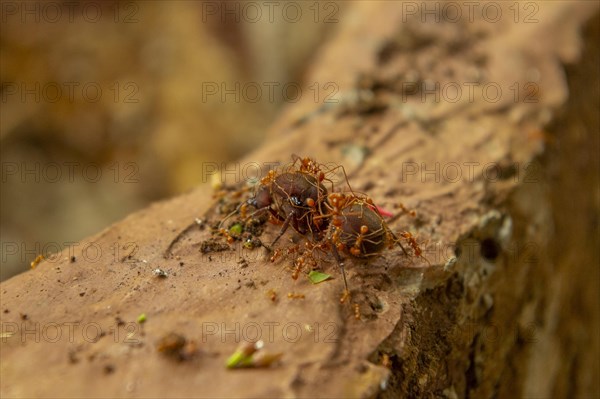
{"x": 508, "y": 306}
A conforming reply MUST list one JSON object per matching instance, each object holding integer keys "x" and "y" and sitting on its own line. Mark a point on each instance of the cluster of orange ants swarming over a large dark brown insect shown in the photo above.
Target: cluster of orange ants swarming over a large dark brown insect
{"x": 303, "y": 196}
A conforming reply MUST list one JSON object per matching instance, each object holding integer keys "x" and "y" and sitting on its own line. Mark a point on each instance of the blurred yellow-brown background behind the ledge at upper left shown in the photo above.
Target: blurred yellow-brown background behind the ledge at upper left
{"x": 108, "y": 106}
